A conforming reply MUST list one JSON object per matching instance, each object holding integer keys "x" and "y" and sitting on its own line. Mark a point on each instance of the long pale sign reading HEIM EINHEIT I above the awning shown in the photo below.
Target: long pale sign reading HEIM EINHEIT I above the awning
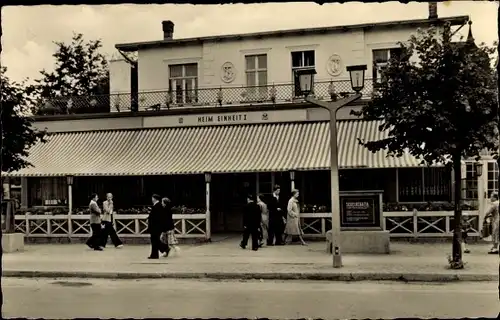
{"x": 227, "y": 118}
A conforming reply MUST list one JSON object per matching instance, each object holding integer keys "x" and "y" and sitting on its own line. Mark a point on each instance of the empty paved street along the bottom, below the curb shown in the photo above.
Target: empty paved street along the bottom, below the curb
{"x": 69, "y": 298}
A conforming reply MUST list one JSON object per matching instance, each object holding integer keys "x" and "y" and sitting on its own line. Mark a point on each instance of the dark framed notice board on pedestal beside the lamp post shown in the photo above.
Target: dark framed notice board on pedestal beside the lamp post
{"x": 361, "y": 210}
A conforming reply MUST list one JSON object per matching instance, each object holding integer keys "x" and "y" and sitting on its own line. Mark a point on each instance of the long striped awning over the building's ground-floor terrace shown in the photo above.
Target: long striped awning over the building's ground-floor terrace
{"x": 217, "y": 149}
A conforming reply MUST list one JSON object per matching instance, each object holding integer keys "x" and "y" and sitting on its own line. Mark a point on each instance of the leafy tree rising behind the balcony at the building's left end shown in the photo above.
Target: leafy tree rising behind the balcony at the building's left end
{"x": 81, "y": 75}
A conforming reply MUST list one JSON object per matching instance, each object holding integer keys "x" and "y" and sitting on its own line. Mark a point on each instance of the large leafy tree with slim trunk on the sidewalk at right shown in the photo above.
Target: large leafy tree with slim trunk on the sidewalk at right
{"x": 440, "y": 109}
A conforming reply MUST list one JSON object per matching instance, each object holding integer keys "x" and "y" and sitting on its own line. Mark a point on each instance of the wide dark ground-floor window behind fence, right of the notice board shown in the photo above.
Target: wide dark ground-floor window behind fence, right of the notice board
{"x": 424, "y": 184}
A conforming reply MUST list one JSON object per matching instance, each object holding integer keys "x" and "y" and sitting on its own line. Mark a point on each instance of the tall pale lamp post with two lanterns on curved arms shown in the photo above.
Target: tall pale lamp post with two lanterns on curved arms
{"x": 306, "y": 80}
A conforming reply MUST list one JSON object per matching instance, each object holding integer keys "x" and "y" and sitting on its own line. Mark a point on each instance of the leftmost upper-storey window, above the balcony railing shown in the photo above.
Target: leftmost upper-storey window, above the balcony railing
{"x": 184, "y": 83}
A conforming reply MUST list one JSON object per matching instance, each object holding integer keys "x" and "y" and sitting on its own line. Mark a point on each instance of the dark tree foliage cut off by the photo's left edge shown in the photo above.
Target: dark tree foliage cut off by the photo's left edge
{"x": 18, "y": 135}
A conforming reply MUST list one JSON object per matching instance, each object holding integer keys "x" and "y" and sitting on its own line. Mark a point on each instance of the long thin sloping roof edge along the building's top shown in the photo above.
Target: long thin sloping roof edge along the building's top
{"x": 128, "y": 47}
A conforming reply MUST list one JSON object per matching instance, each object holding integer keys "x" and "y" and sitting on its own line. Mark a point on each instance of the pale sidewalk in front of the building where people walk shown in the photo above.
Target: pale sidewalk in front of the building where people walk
{"x": 225, "y": 260}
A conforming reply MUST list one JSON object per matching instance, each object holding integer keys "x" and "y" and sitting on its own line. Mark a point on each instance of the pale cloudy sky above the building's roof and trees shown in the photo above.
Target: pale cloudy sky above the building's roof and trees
{"x": 29, "y": 32}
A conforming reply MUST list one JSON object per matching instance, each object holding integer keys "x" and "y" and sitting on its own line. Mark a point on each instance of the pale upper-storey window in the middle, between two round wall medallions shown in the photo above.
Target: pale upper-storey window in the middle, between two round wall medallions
{"x": 256, "y": 73}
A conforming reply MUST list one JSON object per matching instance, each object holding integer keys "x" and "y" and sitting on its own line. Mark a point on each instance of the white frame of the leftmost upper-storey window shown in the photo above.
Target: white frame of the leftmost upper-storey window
{"x": 184, "y": 97}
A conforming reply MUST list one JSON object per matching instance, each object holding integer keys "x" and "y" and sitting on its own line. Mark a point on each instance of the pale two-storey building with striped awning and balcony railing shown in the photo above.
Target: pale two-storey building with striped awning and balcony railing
{"x": 207, "y": 120}
